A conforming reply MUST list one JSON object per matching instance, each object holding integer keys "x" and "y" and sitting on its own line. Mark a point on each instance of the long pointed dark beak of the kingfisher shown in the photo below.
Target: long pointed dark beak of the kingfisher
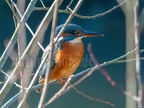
{"x": 86, "y": 33}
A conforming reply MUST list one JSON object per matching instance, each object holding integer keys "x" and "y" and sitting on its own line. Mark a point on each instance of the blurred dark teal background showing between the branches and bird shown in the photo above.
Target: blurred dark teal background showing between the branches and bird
{"x": 111, "y": 46}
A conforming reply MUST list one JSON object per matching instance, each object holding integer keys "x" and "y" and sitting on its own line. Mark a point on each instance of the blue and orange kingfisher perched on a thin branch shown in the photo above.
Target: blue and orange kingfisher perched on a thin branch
{"x": 68, "y": 53}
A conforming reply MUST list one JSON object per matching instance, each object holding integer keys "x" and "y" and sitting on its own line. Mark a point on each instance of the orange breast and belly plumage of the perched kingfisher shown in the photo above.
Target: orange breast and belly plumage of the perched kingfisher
{"x": 67, "y": 60}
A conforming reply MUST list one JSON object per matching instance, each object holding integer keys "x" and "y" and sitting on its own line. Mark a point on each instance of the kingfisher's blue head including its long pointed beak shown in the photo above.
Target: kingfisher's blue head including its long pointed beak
{"x": 73, "y": 31}
